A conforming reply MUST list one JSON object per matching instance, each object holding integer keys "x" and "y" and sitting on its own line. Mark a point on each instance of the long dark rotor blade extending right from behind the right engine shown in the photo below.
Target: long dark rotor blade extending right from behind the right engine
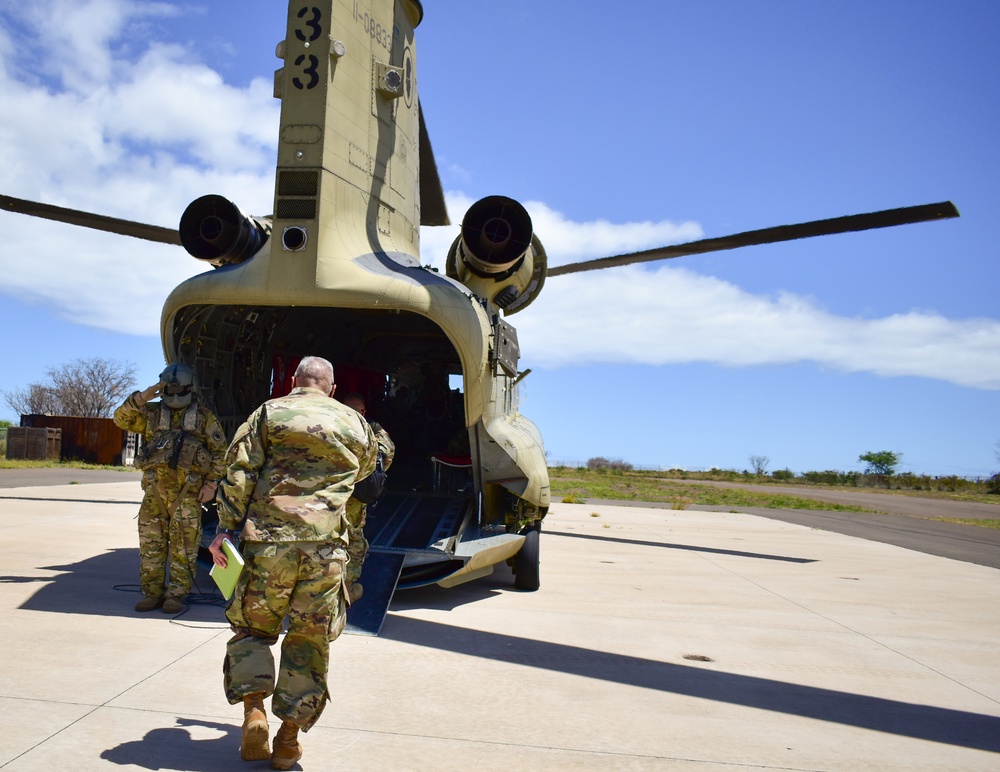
{"x": 857, "y": 222}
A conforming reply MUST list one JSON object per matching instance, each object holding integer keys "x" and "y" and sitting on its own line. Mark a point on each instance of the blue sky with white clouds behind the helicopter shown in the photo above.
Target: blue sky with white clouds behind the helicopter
{"x": 621, "y": 126}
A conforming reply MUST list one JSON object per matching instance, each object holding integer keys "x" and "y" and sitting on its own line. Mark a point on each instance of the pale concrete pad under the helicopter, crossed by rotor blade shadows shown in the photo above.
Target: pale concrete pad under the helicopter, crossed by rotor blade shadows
{"x": 660, "y": 639}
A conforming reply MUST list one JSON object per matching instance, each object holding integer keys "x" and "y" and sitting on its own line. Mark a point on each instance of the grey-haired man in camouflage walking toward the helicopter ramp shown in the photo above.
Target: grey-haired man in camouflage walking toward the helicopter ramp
{"x": 291, "y": 469}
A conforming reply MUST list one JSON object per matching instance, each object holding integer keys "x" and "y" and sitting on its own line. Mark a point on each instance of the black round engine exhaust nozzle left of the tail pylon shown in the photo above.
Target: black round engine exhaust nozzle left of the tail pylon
{"x": 213, "y": 229}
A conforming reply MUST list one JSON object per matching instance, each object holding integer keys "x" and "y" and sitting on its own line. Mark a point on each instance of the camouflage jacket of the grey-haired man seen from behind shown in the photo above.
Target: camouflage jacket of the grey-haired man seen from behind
{"x": 292, "y": 468}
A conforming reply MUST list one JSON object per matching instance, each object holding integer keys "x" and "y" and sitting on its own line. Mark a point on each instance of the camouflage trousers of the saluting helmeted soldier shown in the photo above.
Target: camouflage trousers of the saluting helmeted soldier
{"x": 172, "y": 539}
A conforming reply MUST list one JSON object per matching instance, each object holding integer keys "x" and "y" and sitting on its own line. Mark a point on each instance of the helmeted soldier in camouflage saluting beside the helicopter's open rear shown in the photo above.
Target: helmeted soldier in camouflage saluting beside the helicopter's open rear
{"x": 182, "y": 460}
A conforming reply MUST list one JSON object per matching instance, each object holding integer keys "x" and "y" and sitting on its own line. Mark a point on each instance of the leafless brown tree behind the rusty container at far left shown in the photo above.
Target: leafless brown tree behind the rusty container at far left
{"x": 89, "y": 388}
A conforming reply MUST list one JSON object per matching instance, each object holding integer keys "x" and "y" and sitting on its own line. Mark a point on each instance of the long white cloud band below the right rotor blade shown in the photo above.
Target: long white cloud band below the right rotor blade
{"x": 669, "y": 315}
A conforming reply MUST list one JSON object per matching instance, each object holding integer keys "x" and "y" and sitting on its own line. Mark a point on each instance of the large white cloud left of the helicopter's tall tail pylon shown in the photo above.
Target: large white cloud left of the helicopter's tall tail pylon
{"x": 132, "y": 134}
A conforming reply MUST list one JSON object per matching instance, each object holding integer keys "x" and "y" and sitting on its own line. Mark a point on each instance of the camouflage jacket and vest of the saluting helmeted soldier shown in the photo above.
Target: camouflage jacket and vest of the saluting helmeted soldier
{"x": 203, "y": 441}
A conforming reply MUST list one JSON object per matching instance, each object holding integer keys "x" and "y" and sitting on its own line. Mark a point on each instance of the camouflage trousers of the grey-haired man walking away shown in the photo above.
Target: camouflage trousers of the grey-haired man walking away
{"x": 302, "y": 580}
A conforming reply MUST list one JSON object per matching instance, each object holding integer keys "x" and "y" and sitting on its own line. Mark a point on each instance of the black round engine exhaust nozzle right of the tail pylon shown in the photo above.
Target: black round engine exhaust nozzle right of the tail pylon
{"x": 496, "y": 233}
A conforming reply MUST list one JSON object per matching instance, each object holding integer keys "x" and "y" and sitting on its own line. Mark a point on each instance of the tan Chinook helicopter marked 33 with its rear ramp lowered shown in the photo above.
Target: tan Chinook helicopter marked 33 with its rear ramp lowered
{"x": 335, "y": 271}
